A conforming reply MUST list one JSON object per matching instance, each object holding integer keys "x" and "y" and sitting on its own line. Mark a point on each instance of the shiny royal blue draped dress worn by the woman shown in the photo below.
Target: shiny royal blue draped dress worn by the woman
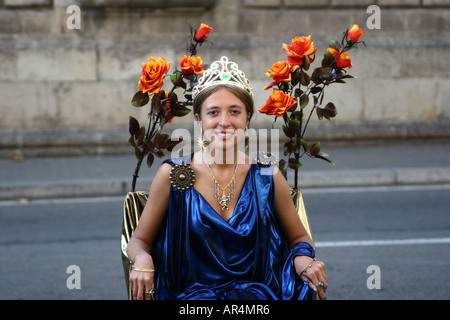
{"x": 200, "y": 256}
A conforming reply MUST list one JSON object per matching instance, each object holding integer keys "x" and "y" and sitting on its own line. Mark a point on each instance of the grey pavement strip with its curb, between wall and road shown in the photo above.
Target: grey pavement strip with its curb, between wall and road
{"x": 355, "y": 166}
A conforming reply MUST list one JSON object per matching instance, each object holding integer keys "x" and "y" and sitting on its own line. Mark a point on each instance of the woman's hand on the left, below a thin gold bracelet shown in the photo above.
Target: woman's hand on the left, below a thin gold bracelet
{"x": 142, "y": 281}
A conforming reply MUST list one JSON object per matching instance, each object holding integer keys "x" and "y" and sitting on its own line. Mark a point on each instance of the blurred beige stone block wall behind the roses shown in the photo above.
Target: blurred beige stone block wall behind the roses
{"x": 67, "y": 91}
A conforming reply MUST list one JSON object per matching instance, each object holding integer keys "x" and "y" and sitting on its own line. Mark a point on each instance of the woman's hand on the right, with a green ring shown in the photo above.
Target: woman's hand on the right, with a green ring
{"x": 314, "y": 272}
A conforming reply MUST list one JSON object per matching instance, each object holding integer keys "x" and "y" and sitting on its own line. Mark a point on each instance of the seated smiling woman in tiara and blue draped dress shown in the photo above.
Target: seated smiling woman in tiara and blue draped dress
{"x": 234, "y": 234}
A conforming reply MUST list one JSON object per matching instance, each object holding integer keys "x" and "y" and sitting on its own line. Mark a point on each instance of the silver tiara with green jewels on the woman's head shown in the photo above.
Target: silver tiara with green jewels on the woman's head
{"x": 222, "y": 71}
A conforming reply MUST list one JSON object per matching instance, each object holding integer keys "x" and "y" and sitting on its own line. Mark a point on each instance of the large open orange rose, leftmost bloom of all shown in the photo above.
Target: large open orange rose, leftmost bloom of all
{"x": 153, "y": 74}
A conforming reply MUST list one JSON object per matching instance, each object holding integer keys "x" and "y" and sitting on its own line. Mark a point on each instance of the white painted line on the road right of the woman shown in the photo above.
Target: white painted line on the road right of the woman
{"x": 364, "y": 243}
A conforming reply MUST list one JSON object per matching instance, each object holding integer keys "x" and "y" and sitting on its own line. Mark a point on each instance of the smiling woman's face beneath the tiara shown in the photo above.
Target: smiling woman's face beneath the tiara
{"x": 224, "y": 118}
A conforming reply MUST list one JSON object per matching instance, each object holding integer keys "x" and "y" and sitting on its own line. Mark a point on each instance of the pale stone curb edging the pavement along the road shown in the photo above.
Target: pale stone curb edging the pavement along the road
{"x": 84, "y": 188}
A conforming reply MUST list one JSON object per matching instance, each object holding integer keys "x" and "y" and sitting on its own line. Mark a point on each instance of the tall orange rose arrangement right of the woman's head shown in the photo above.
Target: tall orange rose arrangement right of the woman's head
{"x": 294, "y": 89}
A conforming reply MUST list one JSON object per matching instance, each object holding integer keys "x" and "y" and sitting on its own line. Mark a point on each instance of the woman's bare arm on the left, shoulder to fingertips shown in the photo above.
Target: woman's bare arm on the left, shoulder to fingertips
{"x": 140, "y": 244}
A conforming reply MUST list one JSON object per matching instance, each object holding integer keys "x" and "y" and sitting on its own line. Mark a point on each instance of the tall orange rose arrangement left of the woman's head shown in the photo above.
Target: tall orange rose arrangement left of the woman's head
{"x": 164, "y": 105}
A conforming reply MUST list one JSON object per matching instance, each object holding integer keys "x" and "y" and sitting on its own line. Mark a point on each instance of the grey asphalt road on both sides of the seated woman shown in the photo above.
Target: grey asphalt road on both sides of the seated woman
{"x": 403, "y": 231}
